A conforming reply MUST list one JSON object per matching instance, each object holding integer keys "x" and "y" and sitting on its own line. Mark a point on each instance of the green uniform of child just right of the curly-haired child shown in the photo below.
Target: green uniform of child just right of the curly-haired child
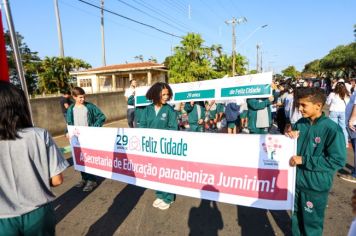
{"x": 195, "y": 113}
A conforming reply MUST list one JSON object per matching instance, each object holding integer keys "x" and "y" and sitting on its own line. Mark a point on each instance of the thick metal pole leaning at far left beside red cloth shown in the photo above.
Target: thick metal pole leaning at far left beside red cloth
{"x": 15, "y": 47}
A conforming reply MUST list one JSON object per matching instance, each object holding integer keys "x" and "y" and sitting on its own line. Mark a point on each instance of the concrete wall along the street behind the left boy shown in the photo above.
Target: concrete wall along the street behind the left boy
{"x": 47, "y": 112}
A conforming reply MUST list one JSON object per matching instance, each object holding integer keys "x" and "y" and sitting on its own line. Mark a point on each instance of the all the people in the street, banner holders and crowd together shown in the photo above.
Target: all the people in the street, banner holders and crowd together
{"x": 296, "y": 109}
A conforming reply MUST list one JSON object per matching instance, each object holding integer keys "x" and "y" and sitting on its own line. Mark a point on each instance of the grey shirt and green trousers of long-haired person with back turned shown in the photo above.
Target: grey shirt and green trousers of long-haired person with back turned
{"x": 26, "y": 166}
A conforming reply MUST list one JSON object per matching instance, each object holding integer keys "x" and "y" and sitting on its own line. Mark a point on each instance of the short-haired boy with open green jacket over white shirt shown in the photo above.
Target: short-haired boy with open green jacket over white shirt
{"x": 83, "y": 113}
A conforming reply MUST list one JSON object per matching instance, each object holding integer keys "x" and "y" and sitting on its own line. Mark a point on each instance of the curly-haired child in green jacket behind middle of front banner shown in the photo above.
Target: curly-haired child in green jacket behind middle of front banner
{"x": 160, "y": 115}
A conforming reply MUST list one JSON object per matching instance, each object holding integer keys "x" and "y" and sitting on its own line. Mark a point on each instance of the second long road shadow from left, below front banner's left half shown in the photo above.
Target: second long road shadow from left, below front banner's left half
{"x": 121, "y": 207}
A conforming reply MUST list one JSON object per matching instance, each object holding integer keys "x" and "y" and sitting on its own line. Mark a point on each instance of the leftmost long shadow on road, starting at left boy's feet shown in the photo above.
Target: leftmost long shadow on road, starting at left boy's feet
{"x": 69, "y": 200}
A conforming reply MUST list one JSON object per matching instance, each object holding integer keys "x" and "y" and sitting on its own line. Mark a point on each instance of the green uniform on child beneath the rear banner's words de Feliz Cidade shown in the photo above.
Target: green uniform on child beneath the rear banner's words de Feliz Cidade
{"x": 254, "y": 105}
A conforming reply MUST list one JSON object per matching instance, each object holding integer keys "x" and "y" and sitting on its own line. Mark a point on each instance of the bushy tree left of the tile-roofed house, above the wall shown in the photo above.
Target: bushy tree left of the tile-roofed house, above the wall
{"x": 54, "y": 73}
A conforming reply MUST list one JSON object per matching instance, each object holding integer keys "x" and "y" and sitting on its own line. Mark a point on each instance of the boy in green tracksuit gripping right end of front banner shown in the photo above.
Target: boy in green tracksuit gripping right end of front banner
{"x": 320, "y": 153}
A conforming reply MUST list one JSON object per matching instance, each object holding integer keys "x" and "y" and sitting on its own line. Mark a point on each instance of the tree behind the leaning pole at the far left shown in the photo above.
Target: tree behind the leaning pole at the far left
{"x": 30, "y": 61}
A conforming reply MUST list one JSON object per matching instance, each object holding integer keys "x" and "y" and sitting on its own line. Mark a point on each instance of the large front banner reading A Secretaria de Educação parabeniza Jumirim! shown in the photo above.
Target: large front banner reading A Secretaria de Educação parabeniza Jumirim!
{"x": 249, "y": 170}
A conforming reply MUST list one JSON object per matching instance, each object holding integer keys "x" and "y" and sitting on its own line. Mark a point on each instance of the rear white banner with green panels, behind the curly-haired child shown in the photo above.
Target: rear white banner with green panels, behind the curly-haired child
{"x": 247, "y": 86}
